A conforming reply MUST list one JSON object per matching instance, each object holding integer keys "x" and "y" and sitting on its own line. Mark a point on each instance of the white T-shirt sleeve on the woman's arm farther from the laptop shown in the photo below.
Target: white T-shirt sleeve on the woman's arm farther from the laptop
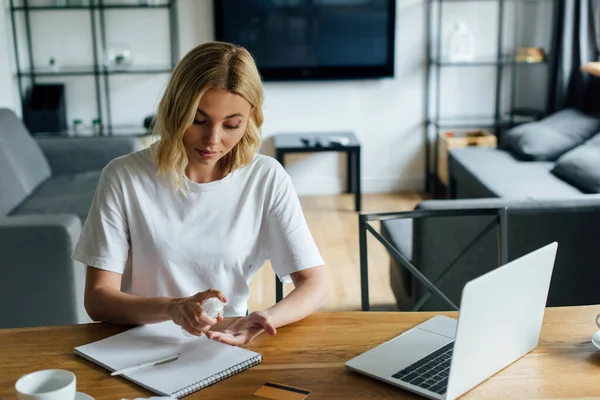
{"x": 104, "y": 239}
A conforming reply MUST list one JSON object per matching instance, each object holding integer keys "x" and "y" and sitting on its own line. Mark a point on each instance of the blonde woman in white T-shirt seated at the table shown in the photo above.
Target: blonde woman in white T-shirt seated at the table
{"x": 199, "y": 212}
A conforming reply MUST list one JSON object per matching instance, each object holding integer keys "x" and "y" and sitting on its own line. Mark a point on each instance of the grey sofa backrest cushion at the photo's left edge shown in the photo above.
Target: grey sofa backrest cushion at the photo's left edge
{"x": 22, "y": 164}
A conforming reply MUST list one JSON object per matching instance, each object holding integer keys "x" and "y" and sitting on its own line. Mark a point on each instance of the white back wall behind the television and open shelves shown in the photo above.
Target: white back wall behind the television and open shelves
{"x": 386, "y": 114}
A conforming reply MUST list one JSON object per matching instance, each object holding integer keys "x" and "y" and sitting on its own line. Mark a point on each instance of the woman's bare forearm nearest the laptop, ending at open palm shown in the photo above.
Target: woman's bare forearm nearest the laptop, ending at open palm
{"x": 306, "y": 298}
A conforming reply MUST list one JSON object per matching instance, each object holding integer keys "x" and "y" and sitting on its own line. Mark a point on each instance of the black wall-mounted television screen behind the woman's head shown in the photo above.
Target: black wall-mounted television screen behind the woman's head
{"x": 311, "y": 39}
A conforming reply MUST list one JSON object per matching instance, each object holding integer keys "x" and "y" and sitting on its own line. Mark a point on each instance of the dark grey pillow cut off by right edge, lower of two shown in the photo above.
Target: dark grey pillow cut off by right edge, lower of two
{"x": 581, "y": 166}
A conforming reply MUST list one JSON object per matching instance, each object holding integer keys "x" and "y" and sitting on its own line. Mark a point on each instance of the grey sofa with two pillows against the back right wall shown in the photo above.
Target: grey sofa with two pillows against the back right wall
{"x": 557, "y": 157}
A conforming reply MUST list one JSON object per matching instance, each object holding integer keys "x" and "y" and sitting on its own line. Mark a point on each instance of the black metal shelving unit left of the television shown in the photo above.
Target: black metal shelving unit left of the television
{"x": 99, "y": 71}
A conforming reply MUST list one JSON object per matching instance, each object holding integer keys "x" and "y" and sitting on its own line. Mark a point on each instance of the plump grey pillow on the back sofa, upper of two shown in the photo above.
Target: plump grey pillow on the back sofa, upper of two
{"x": 549, "y": 138}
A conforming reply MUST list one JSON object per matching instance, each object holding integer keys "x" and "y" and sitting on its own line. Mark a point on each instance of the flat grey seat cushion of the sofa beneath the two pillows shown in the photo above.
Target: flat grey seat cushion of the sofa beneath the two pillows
{"x": 490, "y": 172}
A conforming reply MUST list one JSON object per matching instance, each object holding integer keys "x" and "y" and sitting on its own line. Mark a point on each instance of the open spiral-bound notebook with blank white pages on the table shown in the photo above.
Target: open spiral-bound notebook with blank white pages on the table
{"x": 203, "y": 361}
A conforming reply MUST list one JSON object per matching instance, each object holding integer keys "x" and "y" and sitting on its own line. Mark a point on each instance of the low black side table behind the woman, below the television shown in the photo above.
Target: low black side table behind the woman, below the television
{"x": 313, "y": 143}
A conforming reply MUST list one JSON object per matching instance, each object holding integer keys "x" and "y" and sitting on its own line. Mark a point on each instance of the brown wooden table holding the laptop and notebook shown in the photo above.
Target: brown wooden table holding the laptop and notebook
{"x": 311, "y": 354}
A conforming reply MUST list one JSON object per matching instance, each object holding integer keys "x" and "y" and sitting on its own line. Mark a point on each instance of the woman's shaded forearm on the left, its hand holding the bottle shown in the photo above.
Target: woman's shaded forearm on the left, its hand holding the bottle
{"x": 109, "y": 305}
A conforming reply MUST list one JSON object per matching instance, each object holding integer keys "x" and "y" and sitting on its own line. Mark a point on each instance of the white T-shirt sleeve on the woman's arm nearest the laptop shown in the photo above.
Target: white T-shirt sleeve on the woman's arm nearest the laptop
{"x": 290, "y": 244}
